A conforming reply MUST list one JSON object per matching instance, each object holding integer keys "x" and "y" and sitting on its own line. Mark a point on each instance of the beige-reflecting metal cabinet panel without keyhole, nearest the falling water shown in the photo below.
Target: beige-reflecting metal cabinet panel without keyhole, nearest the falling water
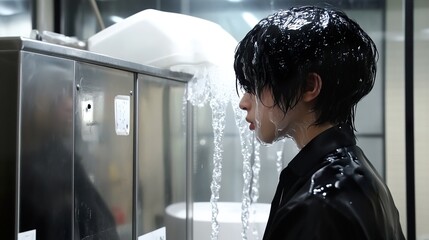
{"x": 162, "y": 151}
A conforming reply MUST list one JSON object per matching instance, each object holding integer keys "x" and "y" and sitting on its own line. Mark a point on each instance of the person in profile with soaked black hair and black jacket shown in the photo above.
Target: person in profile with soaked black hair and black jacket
{"x": 303, "y": 71}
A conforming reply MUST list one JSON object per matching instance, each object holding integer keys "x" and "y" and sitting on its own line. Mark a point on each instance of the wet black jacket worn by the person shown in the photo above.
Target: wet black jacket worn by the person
{"x": 331, "y": 191}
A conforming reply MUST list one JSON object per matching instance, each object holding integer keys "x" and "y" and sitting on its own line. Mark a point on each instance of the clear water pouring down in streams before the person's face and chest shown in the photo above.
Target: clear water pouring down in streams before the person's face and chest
{"x": 206, "y": 88}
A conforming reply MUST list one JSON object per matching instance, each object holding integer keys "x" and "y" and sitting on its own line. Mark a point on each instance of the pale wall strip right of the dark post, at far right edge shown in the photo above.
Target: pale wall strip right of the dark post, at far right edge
{"x": 421, "y": 100}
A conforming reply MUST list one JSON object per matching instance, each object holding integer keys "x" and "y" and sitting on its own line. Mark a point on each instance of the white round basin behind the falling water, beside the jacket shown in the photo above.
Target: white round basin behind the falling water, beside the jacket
{"x": 229, "y": 219}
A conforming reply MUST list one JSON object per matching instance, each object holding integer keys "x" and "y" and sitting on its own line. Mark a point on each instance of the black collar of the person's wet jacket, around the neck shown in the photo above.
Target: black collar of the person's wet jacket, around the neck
{"x": 326, "y": 142}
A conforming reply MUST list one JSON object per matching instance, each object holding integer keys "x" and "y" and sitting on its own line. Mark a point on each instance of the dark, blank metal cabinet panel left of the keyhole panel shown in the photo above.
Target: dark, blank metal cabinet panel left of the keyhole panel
{"x": 46, "y": 140}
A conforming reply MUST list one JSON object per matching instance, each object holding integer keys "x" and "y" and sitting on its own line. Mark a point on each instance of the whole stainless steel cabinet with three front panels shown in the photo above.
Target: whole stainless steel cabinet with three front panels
{"x": 92, "y": 147}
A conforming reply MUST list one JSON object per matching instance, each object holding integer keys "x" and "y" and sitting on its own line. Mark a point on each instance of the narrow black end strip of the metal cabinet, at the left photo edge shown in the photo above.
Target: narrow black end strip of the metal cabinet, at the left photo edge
{"x": 9, "y": 70}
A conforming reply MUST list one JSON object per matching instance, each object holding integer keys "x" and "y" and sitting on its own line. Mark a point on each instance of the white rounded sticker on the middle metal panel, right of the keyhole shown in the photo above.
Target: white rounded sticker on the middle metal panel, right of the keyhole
{"x": 122, "y": 115}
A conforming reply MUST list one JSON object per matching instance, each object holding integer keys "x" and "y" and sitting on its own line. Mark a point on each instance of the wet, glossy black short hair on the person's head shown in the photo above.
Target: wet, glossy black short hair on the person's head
{"x": 283, "y": 48}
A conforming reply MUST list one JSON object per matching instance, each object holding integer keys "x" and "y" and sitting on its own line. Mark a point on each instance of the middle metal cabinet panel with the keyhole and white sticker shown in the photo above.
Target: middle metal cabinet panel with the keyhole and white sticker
{"x": 103, "y": 167}
